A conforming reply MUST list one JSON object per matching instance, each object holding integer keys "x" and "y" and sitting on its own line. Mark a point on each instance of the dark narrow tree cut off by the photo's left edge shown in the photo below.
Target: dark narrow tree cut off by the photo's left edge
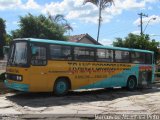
{"x": 2, "y": 36}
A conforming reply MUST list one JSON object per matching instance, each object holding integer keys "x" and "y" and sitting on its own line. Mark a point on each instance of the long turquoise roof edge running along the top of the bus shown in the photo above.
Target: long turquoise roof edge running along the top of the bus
{"x": 82, "y": 44}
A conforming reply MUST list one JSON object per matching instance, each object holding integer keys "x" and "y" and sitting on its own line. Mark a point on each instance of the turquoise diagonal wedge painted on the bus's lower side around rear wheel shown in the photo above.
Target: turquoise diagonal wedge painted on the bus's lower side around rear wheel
{"x": 116, "y": 80}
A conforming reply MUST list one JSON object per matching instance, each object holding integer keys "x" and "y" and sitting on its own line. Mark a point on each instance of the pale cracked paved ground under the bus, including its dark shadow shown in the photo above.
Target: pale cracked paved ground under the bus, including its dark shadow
{"x": 84, "y": 104}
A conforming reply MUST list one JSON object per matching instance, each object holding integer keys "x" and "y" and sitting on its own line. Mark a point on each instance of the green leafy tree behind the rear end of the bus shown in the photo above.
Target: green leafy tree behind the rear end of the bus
{"x": 138, "y": 42}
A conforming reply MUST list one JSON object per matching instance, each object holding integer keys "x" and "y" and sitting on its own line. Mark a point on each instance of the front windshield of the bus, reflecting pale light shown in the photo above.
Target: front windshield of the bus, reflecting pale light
{"x": 18, "y": 54}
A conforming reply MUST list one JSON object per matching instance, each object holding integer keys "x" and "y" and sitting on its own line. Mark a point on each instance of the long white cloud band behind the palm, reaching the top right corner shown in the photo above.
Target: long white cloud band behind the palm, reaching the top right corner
{"x": 75, "y": 10}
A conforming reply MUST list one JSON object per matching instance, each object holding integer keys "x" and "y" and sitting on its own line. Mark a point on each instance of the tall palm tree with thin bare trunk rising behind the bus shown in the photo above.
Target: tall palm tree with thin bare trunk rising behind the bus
{"x": 102, "y": 4}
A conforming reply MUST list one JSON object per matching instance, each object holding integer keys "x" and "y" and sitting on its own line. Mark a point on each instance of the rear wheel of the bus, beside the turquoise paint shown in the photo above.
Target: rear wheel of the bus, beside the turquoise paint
{"x": 131, "y": 83}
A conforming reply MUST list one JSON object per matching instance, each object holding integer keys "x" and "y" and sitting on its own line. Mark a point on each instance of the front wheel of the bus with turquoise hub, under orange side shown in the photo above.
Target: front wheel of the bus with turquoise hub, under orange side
{"x": 61, "y": 87}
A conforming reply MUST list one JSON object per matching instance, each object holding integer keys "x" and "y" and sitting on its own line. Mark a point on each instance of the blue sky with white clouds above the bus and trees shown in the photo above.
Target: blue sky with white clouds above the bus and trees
{"x": 118, "y": 20}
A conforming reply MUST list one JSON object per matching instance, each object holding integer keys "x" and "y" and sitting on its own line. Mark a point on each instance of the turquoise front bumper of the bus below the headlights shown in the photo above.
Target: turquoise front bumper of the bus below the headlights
{"x": 17, "y": 86}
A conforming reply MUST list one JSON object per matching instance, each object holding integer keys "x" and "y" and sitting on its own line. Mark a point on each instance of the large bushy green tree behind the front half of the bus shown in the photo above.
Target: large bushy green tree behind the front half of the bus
{"x": 38, "y": 27}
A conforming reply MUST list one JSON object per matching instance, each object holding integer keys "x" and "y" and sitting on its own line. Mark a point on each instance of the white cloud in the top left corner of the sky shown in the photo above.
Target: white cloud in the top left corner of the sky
{"x": 17, "y": 4}
